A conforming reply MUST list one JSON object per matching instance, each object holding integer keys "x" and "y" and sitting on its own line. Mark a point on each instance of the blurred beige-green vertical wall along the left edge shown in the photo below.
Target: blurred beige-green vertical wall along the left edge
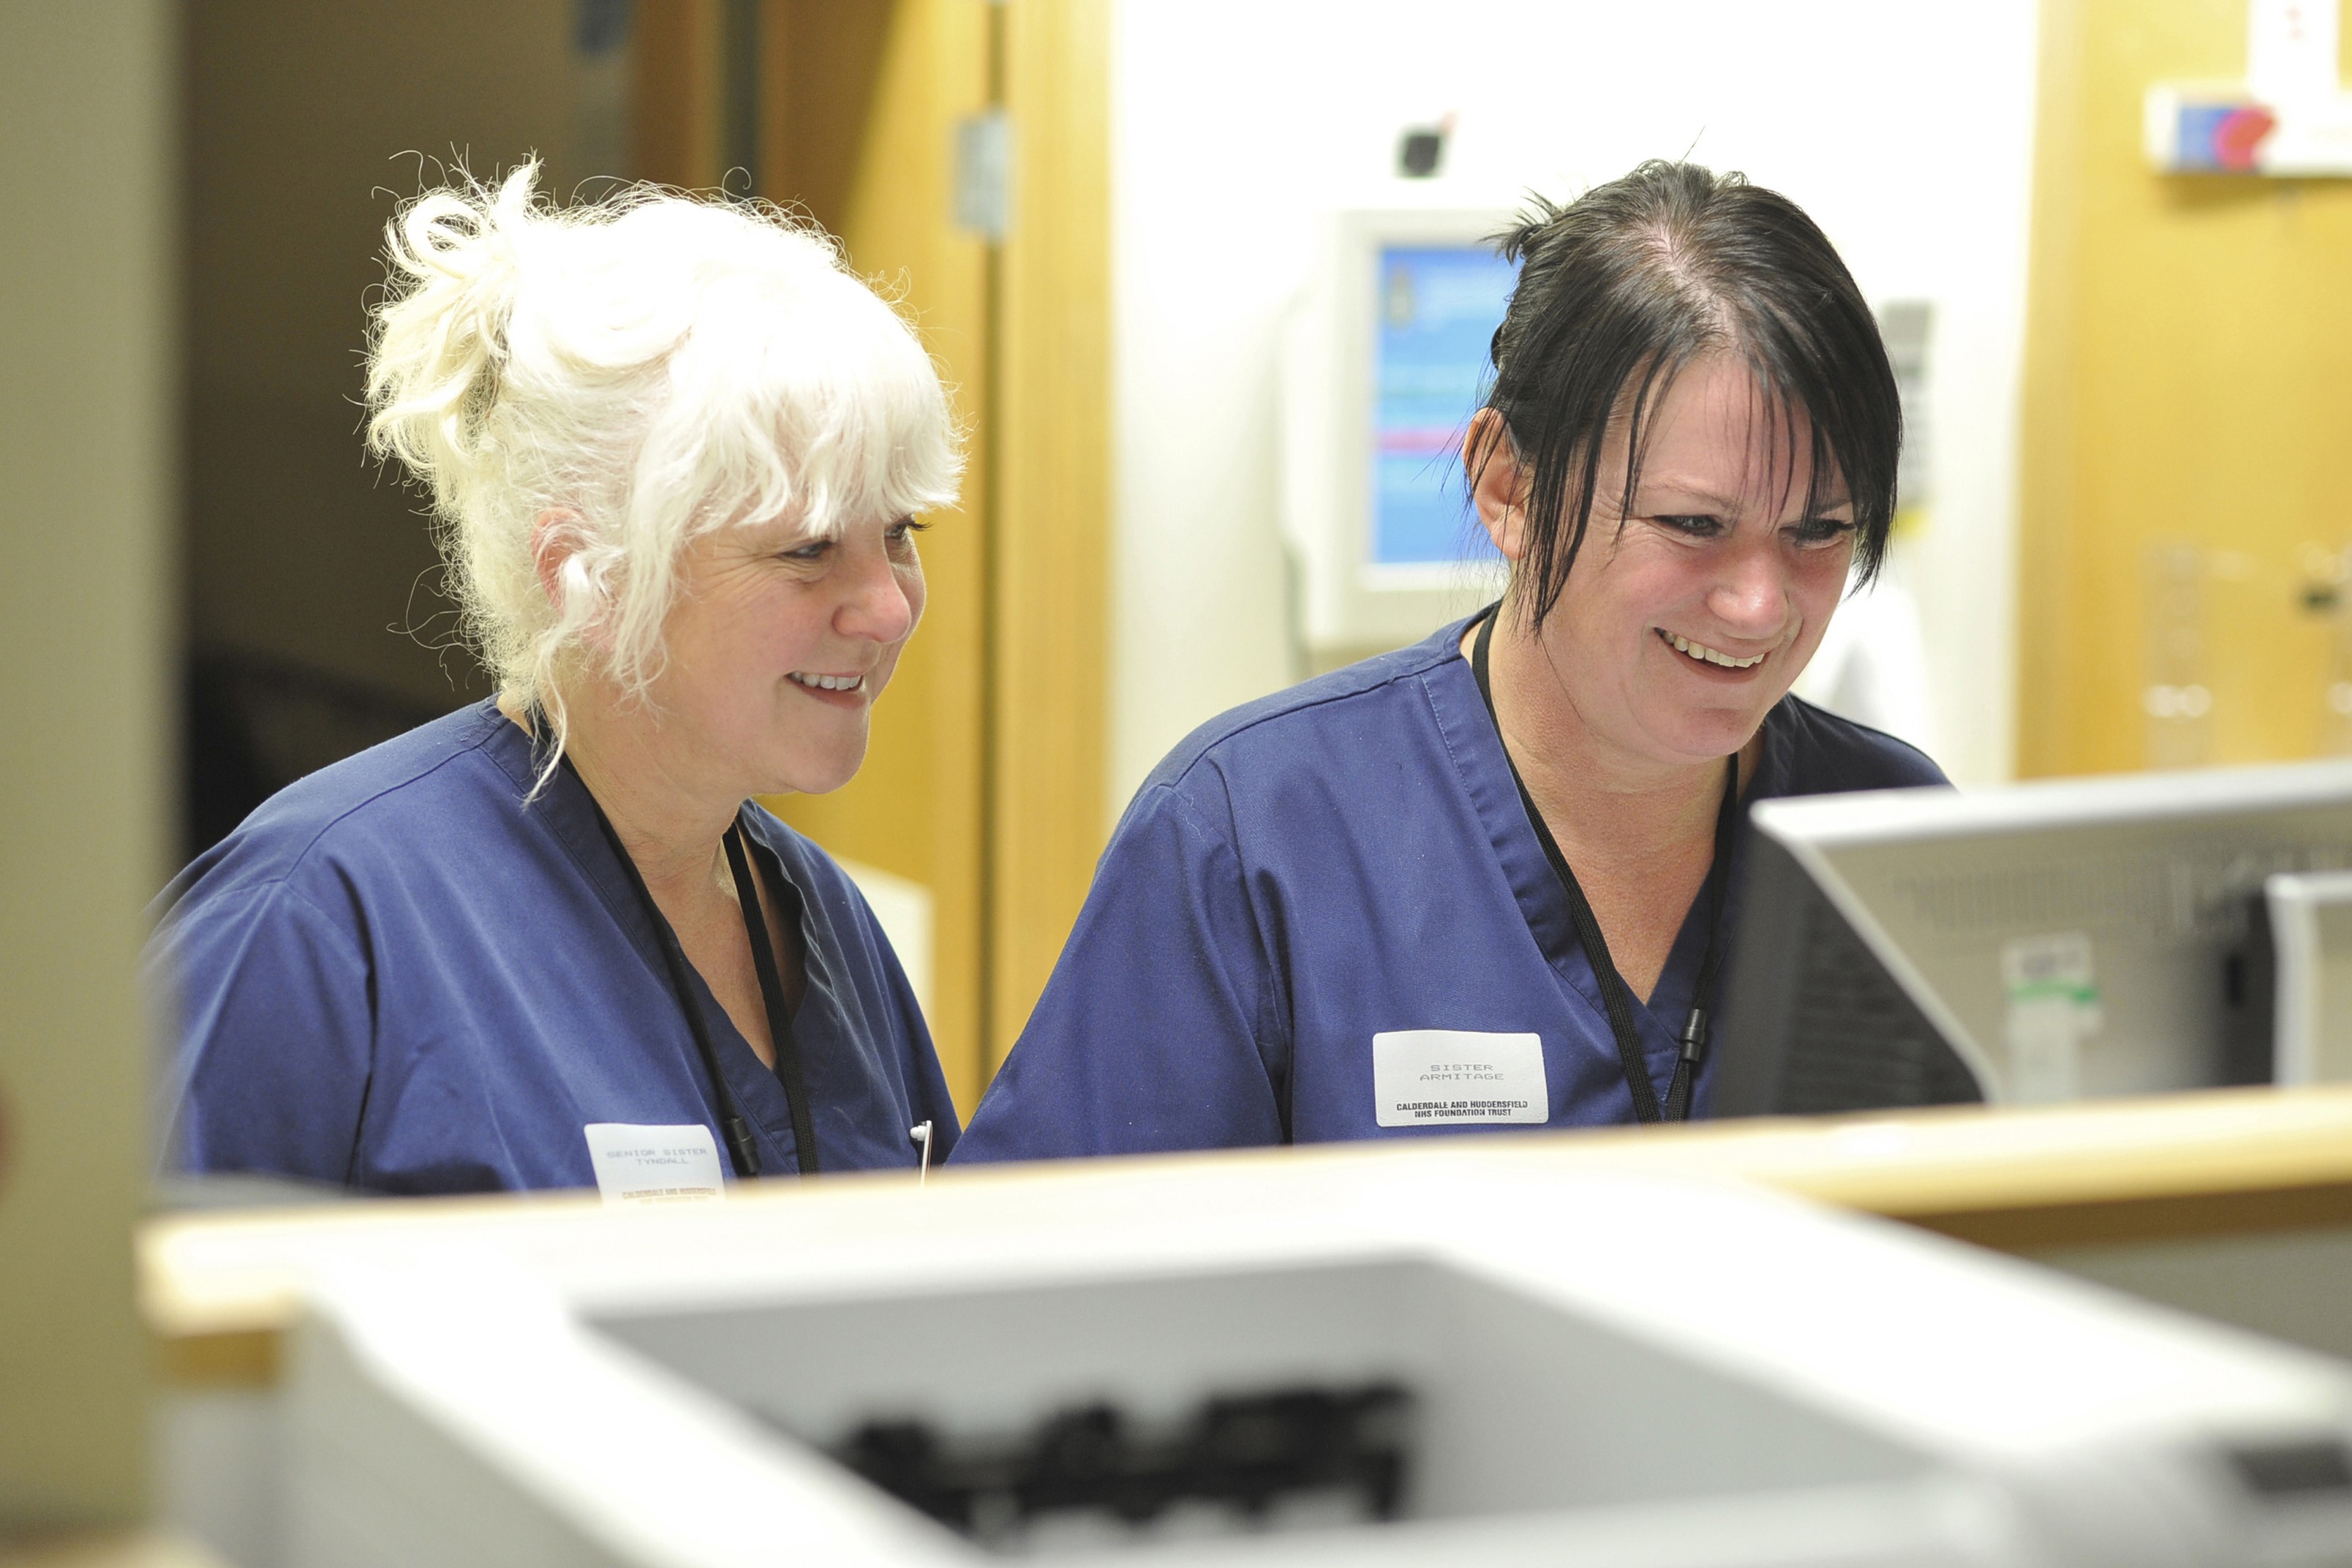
{"x": 83, "y": 610}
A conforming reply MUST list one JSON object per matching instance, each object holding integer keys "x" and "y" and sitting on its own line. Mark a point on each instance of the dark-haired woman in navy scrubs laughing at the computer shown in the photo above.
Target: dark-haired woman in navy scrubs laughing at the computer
{"x": 1490, "y": 880}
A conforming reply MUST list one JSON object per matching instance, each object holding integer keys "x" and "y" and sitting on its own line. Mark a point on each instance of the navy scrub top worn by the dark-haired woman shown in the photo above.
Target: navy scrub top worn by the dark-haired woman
{"x": 1323, "y": 866}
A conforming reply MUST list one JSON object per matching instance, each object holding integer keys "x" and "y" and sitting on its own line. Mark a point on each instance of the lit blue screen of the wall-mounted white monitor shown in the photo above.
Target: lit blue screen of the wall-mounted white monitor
{"x": 1438, "y": 314}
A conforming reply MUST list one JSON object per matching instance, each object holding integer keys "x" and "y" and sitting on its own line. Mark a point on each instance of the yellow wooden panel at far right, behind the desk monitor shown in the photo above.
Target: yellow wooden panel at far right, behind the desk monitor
{"x": 2189, "y": 396}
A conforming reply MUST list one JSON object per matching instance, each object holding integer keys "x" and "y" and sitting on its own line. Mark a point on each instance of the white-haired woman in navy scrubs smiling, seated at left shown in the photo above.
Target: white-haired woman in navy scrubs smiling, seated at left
{"x": 676, "y": 453}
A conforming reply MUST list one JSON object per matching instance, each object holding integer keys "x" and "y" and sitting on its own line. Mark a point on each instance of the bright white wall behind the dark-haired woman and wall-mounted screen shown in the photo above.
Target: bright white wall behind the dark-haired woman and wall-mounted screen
{"x": 1902, "y": 126}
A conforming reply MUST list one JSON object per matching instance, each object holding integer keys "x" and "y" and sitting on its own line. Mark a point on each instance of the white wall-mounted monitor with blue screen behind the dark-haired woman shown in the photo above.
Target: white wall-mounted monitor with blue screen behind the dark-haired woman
{"x": 1384, "y": 366}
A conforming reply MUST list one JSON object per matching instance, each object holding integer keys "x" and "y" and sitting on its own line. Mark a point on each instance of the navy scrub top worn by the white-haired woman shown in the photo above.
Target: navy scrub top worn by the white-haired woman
{"x": 399, "y": 977}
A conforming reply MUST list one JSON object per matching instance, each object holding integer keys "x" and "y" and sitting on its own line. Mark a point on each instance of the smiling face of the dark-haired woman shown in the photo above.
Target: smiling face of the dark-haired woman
{"x": 1692, "y": 610}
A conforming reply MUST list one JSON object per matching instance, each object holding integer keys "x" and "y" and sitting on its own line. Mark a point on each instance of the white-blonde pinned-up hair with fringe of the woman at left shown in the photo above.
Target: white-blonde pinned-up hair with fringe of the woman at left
{"x": 650, "y": 366}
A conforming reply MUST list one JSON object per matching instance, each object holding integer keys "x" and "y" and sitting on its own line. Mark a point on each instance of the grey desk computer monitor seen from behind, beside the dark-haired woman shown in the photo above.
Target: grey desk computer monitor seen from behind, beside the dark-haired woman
{"x": 2036, "y": 944}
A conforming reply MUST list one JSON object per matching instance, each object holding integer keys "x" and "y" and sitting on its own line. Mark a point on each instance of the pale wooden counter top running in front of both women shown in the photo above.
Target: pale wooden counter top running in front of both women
{"x": 218, "y": 1287}
